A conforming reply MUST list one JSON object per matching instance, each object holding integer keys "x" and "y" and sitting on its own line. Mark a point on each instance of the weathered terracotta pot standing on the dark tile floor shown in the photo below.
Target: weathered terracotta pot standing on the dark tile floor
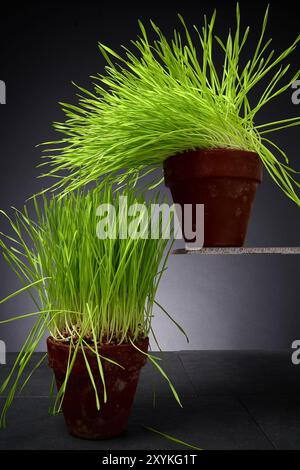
{"x": 79, "y": 404}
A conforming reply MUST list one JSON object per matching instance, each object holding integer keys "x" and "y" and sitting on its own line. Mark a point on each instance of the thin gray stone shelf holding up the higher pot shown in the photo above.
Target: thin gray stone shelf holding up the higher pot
{"x": 282, "y": 250}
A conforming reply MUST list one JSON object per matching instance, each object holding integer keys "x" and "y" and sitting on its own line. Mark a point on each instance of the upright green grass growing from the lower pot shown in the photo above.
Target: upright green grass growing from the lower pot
{"x": 87, "y": 290}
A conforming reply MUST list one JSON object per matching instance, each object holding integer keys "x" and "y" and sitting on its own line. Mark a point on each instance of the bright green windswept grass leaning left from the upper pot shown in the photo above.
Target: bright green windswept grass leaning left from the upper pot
{"x": 163, "y": 98}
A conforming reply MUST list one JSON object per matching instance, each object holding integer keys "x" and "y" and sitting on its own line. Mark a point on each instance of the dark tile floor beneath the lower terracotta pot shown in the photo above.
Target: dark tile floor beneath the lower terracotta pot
{"x": 232, "y": 400}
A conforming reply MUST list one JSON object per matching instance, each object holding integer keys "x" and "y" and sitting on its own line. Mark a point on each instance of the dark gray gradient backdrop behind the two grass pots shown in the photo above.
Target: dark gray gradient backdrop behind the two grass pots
{"x": 222, "y": 302}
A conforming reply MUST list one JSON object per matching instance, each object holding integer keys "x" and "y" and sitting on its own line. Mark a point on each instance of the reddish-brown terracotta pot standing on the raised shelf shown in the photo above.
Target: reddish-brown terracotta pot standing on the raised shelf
{"x": 225, "y": 181}
